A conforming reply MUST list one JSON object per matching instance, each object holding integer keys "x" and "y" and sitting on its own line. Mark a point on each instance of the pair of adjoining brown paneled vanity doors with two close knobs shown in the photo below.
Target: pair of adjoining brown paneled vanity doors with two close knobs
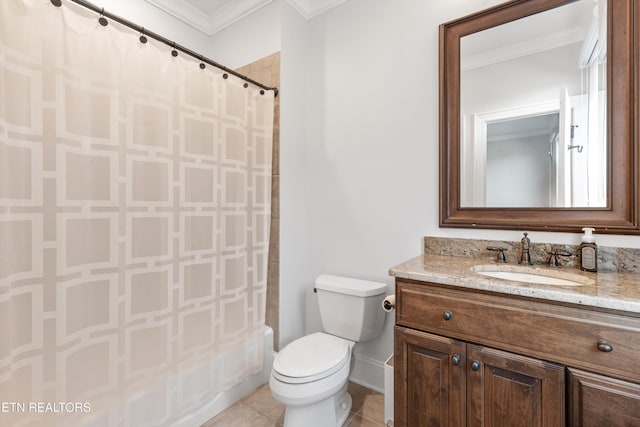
{"x": 451, "y": 383}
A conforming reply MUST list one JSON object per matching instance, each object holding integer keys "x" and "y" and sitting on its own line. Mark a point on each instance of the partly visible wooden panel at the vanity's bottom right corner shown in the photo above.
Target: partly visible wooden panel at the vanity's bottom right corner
{"x": 596, "y": 401}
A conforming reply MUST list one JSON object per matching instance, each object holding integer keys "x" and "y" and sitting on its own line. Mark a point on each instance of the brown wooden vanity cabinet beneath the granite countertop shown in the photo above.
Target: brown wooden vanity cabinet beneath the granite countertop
{"x": 465, "y": 357}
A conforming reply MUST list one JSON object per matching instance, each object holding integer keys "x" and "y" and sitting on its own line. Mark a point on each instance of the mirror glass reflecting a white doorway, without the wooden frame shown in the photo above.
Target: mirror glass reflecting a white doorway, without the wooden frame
{"x": 533, "y": 111}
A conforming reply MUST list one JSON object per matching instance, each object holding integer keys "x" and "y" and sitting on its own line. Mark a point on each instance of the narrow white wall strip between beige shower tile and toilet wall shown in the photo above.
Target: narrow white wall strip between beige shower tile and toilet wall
{"x": 294, "y": 221}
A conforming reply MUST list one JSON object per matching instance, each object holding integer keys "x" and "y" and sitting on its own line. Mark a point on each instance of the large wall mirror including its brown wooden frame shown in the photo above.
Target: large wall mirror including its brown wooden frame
{"x": 538, "y": 116}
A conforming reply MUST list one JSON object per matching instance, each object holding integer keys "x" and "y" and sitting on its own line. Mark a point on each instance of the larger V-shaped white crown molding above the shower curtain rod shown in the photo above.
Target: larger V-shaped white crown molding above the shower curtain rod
{"x": 211, "y": 23}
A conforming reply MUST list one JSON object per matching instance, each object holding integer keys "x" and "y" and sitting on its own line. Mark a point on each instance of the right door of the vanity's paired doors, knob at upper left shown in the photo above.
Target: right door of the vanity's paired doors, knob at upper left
{"x": 508, "y": 390}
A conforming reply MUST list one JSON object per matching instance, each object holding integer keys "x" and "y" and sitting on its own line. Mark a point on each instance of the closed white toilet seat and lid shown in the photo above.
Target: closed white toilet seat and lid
{"x": 311, "y": 358}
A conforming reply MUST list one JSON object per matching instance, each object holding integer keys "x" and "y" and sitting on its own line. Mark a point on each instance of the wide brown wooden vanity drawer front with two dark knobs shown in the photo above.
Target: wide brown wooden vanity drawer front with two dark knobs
{"x": 556, "y": 333}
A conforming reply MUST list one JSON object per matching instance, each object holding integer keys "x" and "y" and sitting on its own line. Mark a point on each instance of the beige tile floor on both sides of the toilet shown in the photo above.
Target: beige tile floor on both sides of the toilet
{"x": 260, "y": 409}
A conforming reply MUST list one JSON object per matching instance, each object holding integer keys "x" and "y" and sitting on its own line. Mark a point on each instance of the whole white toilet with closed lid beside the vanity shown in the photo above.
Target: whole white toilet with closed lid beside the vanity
{"x": 310, "y": 375}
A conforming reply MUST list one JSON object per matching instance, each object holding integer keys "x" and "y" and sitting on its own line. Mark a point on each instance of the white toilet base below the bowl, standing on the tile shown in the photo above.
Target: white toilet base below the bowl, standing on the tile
{"x": 330, "y": 412}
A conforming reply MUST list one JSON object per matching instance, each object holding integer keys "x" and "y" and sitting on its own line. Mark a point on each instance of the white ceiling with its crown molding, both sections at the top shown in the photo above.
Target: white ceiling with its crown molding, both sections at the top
{"x": 211, "y": 16}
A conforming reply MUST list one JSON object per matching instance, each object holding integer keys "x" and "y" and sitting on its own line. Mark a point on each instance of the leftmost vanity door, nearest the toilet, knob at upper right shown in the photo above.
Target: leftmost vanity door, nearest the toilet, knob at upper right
{"x": 429, "y": 380}
